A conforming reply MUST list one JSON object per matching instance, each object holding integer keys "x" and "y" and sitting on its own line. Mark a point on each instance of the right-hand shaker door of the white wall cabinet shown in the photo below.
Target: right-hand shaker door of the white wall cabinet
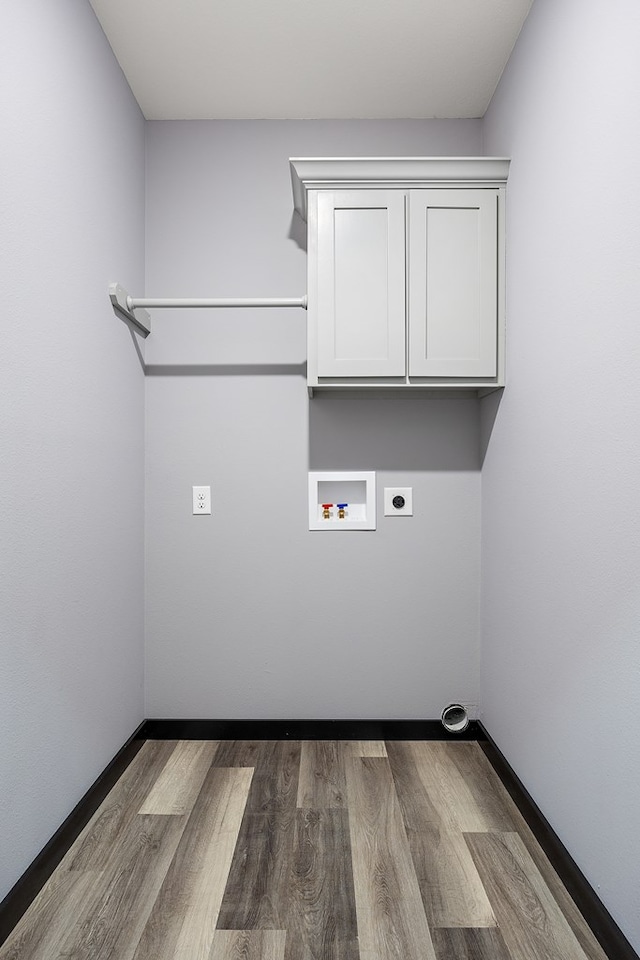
{"x": 453, "y": 306}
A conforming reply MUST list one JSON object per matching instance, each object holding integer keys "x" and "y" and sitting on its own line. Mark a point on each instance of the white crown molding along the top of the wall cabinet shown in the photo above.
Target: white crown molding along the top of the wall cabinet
{"x": 327, "y": 173}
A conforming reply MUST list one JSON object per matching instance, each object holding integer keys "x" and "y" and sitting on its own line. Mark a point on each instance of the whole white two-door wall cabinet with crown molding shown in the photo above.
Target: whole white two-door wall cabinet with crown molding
{"x": 405, "y": 272}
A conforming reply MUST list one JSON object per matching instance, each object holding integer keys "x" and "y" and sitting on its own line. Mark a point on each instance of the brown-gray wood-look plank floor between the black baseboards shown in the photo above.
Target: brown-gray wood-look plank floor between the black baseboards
{"x": 312, "y": 850}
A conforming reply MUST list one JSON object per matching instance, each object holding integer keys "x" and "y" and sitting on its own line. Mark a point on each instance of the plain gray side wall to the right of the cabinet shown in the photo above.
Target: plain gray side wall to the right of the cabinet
{"x": 561, "y": 479}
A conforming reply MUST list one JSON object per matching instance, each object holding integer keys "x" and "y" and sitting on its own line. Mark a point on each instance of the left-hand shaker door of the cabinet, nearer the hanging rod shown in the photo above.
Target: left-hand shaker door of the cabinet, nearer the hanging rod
{"x": 361, "y": 283}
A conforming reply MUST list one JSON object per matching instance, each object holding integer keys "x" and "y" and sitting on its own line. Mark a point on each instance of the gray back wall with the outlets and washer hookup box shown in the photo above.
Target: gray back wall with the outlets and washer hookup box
{"x": 248, "y": 613}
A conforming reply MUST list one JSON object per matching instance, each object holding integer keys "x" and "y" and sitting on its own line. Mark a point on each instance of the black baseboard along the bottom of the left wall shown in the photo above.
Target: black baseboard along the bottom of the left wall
{"x": 36, "y": 875}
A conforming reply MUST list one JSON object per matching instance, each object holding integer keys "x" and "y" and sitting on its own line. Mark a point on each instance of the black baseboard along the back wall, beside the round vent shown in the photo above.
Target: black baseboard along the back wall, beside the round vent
{"x": 304, "y": 730}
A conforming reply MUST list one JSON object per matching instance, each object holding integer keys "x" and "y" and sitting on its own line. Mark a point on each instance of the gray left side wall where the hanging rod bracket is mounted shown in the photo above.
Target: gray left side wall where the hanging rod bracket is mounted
{"x": 71, "y": 419}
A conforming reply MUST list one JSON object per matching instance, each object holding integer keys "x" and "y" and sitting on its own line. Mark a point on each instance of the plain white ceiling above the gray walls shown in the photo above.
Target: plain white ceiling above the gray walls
{"x": 303, "y": 59}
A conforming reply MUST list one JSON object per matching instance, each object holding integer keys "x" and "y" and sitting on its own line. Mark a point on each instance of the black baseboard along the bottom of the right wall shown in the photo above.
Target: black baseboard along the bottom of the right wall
{"x": 602, "y": 924}
